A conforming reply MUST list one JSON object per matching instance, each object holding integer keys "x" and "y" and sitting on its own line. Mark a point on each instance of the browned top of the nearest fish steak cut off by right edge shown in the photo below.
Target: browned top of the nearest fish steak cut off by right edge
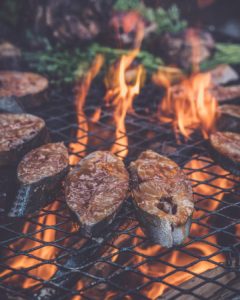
{"x": 227, "y": 144}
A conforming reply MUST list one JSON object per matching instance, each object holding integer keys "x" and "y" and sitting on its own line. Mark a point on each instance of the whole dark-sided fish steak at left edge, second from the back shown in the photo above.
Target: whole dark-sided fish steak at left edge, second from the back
{"x": 19, "y": 133}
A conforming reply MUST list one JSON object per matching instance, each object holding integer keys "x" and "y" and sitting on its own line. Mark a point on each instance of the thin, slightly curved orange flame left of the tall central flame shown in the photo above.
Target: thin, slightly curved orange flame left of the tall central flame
{"x": 82, "y": 91}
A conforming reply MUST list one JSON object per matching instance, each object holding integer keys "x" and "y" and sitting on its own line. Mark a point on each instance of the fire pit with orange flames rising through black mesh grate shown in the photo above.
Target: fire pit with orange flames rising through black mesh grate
{"x": 45, "y": 256}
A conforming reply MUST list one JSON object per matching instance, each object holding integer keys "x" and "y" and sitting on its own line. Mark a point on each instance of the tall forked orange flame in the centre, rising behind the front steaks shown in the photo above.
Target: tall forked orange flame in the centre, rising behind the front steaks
{"x": 120, "y": 96}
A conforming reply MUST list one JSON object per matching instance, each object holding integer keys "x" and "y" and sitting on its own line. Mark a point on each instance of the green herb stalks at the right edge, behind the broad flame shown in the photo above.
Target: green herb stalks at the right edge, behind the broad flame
{"x": 225, "y": 54}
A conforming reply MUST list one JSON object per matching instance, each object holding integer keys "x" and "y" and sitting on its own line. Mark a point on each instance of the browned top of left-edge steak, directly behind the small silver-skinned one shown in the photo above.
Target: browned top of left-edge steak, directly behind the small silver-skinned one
{"x": 16, "y": 129}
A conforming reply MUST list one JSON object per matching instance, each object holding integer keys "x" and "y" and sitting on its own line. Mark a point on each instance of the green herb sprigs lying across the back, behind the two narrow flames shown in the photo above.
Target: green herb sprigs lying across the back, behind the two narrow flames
{"x": 64, "y": 66}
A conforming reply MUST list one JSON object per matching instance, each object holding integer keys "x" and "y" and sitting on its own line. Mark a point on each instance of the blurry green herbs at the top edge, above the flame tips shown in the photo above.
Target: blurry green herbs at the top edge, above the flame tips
{"x": 166, "y": 20}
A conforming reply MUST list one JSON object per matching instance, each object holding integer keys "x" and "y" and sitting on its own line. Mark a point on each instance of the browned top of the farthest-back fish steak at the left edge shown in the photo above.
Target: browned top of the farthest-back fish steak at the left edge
{"x": 21, "y": 83}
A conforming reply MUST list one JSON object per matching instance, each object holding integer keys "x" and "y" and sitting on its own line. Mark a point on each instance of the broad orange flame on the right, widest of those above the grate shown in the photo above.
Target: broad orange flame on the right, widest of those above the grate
{"x": 189, "y": 105}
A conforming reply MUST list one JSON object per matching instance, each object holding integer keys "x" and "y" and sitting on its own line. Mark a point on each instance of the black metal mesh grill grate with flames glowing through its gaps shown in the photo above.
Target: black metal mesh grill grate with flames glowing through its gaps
{"x": 123, "y": 264}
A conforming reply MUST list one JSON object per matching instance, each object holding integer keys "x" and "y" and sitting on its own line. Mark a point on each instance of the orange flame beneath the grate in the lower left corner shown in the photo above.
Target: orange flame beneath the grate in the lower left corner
{"x": 37, "y": 251}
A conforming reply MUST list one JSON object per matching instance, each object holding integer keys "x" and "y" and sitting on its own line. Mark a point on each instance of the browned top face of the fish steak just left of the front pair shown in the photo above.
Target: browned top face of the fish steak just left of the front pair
{"x": 45, "y": 161}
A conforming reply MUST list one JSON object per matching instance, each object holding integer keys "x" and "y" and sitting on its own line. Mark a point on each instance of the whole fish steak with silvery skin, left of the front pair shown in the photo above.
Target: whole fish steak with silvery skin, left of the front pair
{"x": 39, "y": 176}
